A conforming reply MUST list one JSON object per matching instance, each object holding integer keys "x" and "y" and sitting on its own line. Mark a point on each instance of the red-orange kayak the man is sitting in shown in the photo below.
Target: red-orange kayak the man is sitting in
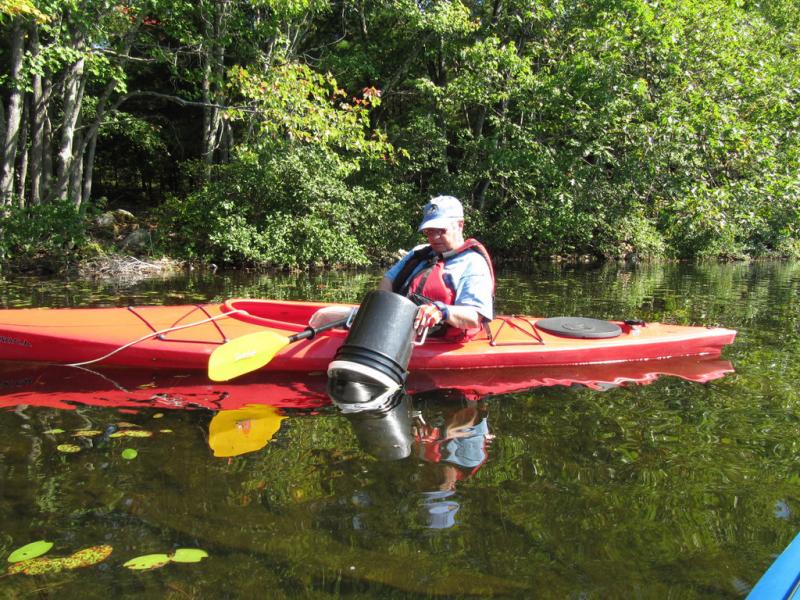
{"x": 183, "y": 337}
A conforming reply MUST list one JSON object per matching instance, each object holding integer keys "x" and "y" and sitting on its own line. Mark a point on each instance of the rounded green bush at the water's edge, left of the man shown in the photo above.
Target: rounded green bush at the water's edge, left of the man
{"x": 292, "y": 209}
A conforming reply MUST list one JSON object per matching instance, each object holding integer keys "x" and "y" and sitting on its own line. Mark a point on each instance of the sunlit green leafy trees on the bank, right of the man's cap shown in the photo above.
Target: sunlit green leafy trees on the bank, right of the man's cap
{"x": 600, "y": 128}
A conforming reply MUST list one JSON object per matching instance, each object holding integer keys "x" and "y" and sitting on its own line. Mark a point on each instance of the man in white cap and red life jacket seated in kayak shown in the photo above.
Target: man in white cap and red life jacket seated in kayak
{"x": 450, "y": 278}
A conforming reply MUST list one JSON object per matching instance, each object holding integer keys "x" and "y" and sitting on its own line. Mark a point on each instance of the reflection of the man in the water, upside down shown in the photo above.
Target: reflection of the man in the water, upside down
{"x": 453, "y": 452}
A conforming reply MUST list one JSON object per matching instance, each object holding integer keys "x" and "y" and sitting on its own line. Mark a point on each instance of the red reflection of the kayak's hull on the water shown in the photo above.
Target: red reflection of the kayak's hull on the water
{"x": 60, "y": 386}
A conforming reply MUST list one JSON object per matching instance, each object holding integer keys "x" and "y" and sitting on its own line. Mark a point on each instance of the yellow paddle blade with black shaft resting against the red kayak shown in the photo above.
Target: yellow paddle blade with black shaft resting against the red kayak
{"x": 250, "y": 352}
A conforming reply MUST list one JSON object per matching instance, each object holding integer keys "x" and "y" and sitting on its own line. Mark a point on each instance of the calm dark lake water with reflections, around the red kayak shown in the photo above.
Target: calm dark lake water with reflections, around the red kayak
{"x": 673, "y": 489}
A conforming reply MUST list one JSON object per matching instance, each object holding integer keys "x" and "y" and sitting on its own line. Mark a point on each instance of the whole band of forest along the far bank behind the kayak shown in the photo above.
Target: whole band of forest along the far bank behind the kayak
{"x": 310, "y": 132}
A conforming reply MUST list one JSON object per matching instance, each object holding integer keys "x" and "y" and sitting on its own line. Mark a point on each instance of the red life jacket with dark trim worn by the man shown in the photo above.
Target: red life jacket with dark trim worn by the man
{"x": 429, "y": 284}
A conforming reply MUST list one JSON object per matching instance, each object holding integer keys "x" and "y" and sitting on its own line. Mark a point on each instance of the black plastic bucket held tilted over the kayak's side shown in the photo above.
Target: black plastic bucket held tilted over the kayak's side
{"x": 378, "y": 347}
